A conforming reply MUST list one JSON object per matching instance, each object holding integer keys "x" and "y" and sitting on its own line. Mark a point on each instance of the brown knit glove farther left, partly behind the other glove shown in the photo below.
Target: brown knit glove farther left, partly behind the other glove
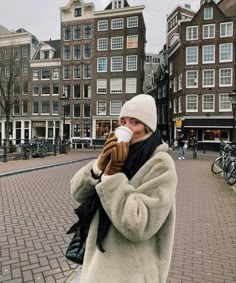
{"x": 105, "y": 155}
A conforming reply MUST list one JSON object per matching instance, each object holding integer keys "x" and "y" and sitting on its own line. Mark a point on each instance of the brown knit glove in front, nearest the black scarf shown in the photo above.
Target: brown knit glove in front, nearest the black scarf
{"x": 119, "y": 154}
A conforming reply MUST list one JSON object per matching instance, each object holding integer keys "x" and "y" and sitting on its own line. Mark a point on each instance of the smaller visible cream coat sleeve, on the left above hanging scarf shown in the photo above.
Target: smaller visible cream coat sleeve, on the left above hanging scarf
{"x": 83, "y": 184}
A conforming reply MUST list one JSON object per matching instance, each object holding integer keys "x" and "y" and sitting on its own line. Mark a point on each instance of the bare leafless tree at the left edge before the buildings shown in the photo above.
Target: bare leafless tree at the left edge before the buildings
{"x": 10, "y": 85}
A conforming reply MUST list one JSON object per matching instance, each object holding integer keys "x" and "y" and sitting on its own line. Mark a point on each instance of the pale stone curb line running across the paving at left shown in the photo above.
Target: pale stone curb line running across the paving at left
{"x": 43, "y": 167}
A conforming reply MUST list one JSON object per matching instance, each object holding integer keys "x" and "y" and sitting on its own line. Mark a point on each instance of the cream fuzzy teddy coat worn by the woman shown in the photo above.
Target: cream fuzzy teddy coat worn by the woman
{"x": 139, "y": 242}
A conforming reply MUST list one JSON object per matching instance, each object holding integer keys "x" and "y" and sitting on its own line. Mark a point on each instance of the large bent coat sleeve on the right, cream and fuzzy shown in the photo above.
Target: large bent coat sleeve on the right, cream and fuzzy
{"x": 139, "y": 212}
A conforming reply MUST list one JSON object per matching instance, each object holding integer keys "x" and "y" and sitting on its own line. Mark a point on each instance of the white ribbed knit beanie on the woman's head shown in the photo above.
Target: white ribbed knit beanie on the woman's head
{"x": 143, "y": 108}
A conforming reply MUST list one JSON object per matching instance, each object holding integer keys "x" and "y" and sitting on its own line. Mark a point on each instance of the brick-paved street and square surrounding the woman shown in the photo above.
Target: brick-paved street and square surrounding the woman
{"x": 36, "y": 210}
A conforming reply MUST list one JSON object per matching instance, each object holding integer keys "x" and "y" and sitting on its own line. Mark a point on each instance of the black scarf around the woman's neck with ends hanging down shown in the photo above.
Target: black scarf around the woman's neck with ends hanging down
{"x": 139, "y": 153}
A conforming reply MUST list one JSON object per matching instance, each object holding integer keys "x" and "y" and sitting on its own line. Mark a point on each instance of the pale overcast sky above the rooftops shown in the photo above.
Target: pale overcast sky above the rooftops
{"x": 42, "y": 18}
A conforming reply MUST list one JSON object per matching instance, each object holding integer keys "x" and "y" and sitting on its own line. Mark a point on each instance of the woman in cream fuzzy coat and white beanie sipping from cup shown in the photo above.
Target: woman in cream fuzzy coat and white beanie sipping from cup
{"x": 131, "y": 233}
